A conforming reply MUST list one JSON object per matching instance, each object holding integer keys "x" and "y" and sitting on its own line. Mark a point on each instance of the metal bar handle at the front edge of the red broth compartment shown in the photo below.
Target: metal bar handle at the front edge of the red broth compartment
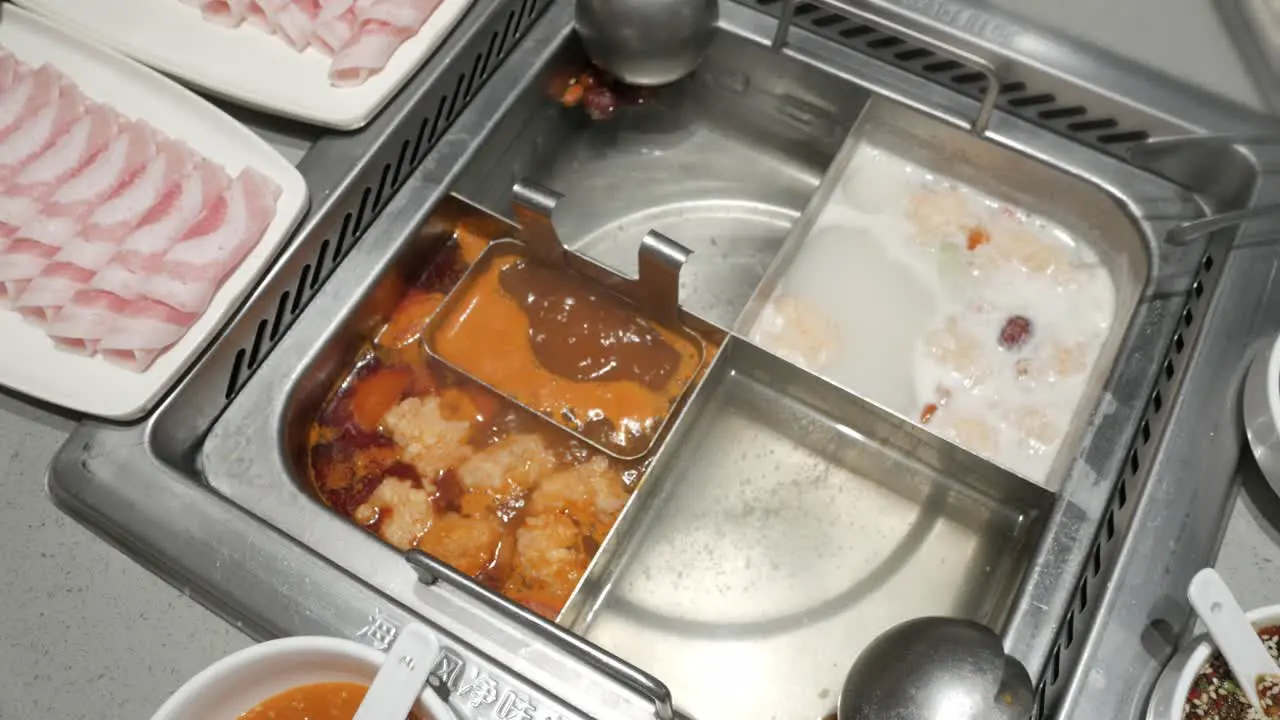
{"x": 432, "y": 571}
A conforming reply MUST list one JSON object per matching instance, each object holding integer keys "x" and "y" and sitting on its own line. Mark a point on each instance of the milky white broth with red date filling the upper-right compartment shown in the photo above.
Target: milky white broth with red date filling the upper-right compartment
{"x": 902, "y": 293}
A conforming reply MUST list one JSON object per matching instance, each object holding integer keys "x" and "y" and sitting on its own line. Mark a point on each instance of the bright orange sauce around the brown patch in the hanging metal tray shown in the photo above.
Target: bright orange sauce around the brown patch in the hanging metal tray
{"x": 488, "y": 335}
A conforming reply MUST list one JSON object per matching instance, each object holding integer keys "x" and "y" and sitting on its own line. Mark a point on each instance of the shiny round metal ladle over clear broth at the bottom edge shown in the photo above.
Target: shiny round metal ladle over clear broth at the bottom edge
{"x": 936, "y": 669}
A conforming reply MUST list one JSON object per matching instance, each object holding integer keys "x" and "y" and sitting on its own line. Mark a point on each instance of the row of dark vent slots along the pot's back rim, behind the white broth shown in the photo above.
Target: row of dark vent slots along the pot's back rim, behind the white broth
{"x": 1044, "y": 110}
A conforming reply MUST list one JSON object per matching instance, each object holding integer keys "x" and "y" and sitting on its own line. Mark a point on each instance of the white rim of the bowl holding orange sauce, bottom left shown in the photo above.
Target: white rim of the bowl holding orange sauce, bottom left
{"x": 237, "y": 683}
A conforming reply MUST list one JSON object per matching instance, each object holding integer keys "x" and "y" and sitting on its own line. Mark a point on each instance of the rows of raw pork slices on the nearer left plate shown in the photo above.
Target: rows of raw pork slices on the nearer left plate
{"x": 98, "y": 212}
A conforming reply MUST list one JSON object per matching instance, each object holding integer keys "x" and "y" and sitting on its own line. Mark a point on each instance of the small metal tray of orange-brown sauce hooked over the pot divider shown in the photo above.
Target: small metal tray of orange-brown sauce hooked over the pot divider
{"x": 642, "y": 315}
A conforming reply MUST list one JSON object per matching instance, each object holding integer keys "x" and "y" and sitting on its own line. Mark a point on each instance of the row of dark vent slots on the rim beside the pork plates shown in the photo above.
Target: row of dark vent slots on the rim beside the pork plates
{"x": 363, "y": 208}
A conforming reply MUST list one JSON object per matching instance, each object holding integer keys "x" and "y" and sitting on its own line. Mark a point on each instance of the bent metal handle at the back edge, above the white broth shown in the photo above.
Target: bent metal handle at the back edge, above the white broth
{"x": 911, "y": 26}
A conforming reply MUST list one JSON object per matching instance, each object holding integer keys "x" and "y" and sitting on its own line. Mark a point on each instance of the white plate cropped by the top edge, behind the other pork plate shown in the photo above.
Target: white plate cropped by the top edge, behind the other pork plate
{"x": 246, "y": 65}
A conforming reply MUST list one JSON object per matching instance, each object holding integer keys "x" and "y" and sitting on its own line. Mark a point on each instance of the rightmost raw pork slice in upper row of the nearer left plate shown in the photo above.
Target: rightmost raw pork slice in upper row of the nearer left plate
{"x": 218, "y": 243}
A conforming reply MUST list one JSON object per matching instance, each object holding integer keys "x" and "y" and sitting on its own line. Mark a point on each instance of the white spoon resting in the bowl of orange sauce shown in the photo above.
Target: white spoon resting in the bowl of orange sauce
{"x": 401, "y": 680}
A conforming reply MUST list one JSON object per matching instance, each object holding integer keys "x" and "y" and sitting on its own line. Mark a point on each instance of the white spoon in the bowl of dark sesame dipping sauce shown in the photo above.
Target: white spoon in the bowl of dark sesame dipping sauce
{"x": 1233, "y": 635}
